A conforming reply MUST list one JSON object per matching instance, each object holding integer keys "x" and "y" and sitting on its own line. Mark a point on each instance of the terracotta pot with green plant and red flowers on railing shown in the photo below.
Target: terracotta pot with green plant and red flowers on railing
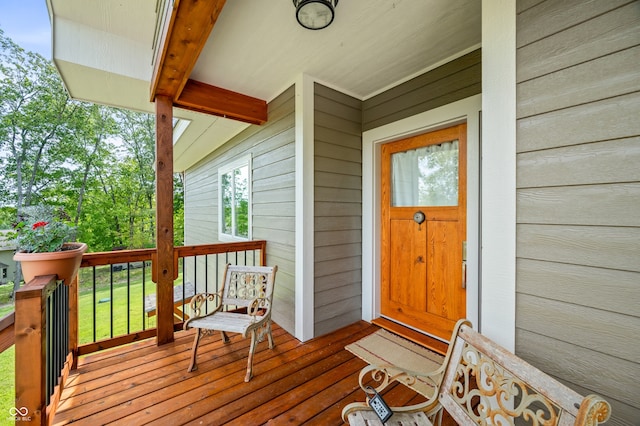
{"x": 45, "y": 245}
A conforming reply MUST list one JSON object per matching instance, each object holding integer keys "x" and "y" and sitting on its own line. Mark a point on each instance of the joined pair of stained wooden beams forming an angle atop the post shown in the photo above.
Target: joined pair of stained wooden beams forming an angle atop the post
{"x": 187, "y": 26}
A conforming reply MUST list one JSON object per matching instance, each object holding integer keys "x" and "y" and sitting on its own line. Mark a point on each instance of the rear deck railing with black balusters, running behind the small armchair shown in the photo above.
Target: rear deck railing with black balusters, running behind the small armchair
{"x": 117, "y": 289}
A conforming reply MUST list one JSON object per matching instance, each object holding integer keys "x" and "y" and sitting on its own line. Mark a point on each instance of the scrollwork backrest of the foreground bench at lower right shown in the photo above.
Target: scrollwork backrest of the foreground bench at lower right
{"x": 486, "y": 384}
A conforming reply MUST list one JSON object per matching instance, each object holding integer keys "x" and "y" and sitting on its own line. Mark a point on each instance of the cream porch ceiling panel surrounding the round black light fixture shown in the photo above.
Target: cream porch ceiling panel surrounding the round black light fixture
{"x": 258, "y": 48}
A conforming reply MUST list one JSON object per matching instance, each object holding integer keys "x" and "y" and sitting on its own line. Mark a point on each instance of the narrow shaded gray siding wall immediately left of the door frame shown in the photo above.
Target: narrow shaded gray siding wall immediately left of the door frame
{"x": 337, "y": 210}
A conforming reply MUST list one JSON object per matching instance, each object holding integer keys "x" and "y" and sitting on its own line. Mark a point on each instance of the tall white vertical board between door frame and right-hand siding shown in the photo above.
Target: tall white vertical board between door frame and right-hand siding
{"x": 498, "y": 316}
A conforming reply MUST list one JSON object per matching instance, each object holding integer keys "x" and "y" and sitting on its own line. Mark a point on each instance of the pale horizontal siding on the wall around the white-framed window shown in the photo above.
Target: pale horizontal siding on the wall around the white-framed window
{"x": 272, "y": 149}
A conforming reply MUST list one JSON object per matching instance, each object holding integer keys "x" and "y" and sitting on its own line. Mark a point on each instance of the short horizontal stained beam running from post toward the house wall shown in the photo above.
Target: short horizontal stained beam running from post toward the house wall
{"x": 202, "y": 97}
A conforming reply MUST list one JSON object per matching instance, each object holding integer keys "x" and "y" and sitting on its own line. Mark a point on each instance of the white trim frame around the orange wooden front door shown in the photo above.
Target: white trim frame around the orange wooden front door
{"x": 466, "y": 110}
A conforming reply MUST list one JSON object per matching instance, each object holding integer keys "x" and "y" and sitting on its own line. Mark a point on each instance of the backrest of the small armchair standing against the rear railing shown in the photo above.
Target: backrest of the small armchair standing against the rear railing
{"x": 244, "y": 284}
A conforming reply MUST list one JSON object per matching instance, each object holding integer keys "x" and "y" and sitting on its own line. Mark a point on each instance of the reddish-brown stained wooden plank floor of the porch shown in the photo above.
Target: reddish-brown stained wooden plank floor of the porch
{"x": 294, "y": 383}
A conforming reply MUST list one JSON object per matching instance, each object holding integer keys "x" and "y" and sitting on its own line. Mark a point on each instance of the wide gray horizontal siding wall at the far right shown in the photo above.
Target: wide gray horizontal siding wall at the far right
{"x": 578, "y": 196}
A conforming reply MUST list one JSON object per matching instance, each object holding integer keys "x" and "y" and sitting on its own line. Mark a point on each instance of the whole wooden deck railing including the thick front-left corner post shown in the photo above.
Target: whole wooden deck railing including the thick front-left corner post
{"x": 51, "y": 326}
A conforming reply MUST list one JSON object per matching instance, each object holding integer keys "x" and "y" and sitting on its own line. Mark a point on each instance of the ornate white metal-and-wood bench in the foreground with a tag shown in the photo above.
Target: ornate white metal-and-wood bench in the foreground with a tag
{"x": 481, "y": 383}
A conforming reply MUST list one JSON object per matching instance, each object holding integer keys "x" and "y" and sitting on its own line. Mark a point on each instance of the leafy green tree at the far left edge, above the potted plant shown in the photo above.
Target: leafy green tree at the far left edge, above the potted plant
{"x": 35, "y": 111}
